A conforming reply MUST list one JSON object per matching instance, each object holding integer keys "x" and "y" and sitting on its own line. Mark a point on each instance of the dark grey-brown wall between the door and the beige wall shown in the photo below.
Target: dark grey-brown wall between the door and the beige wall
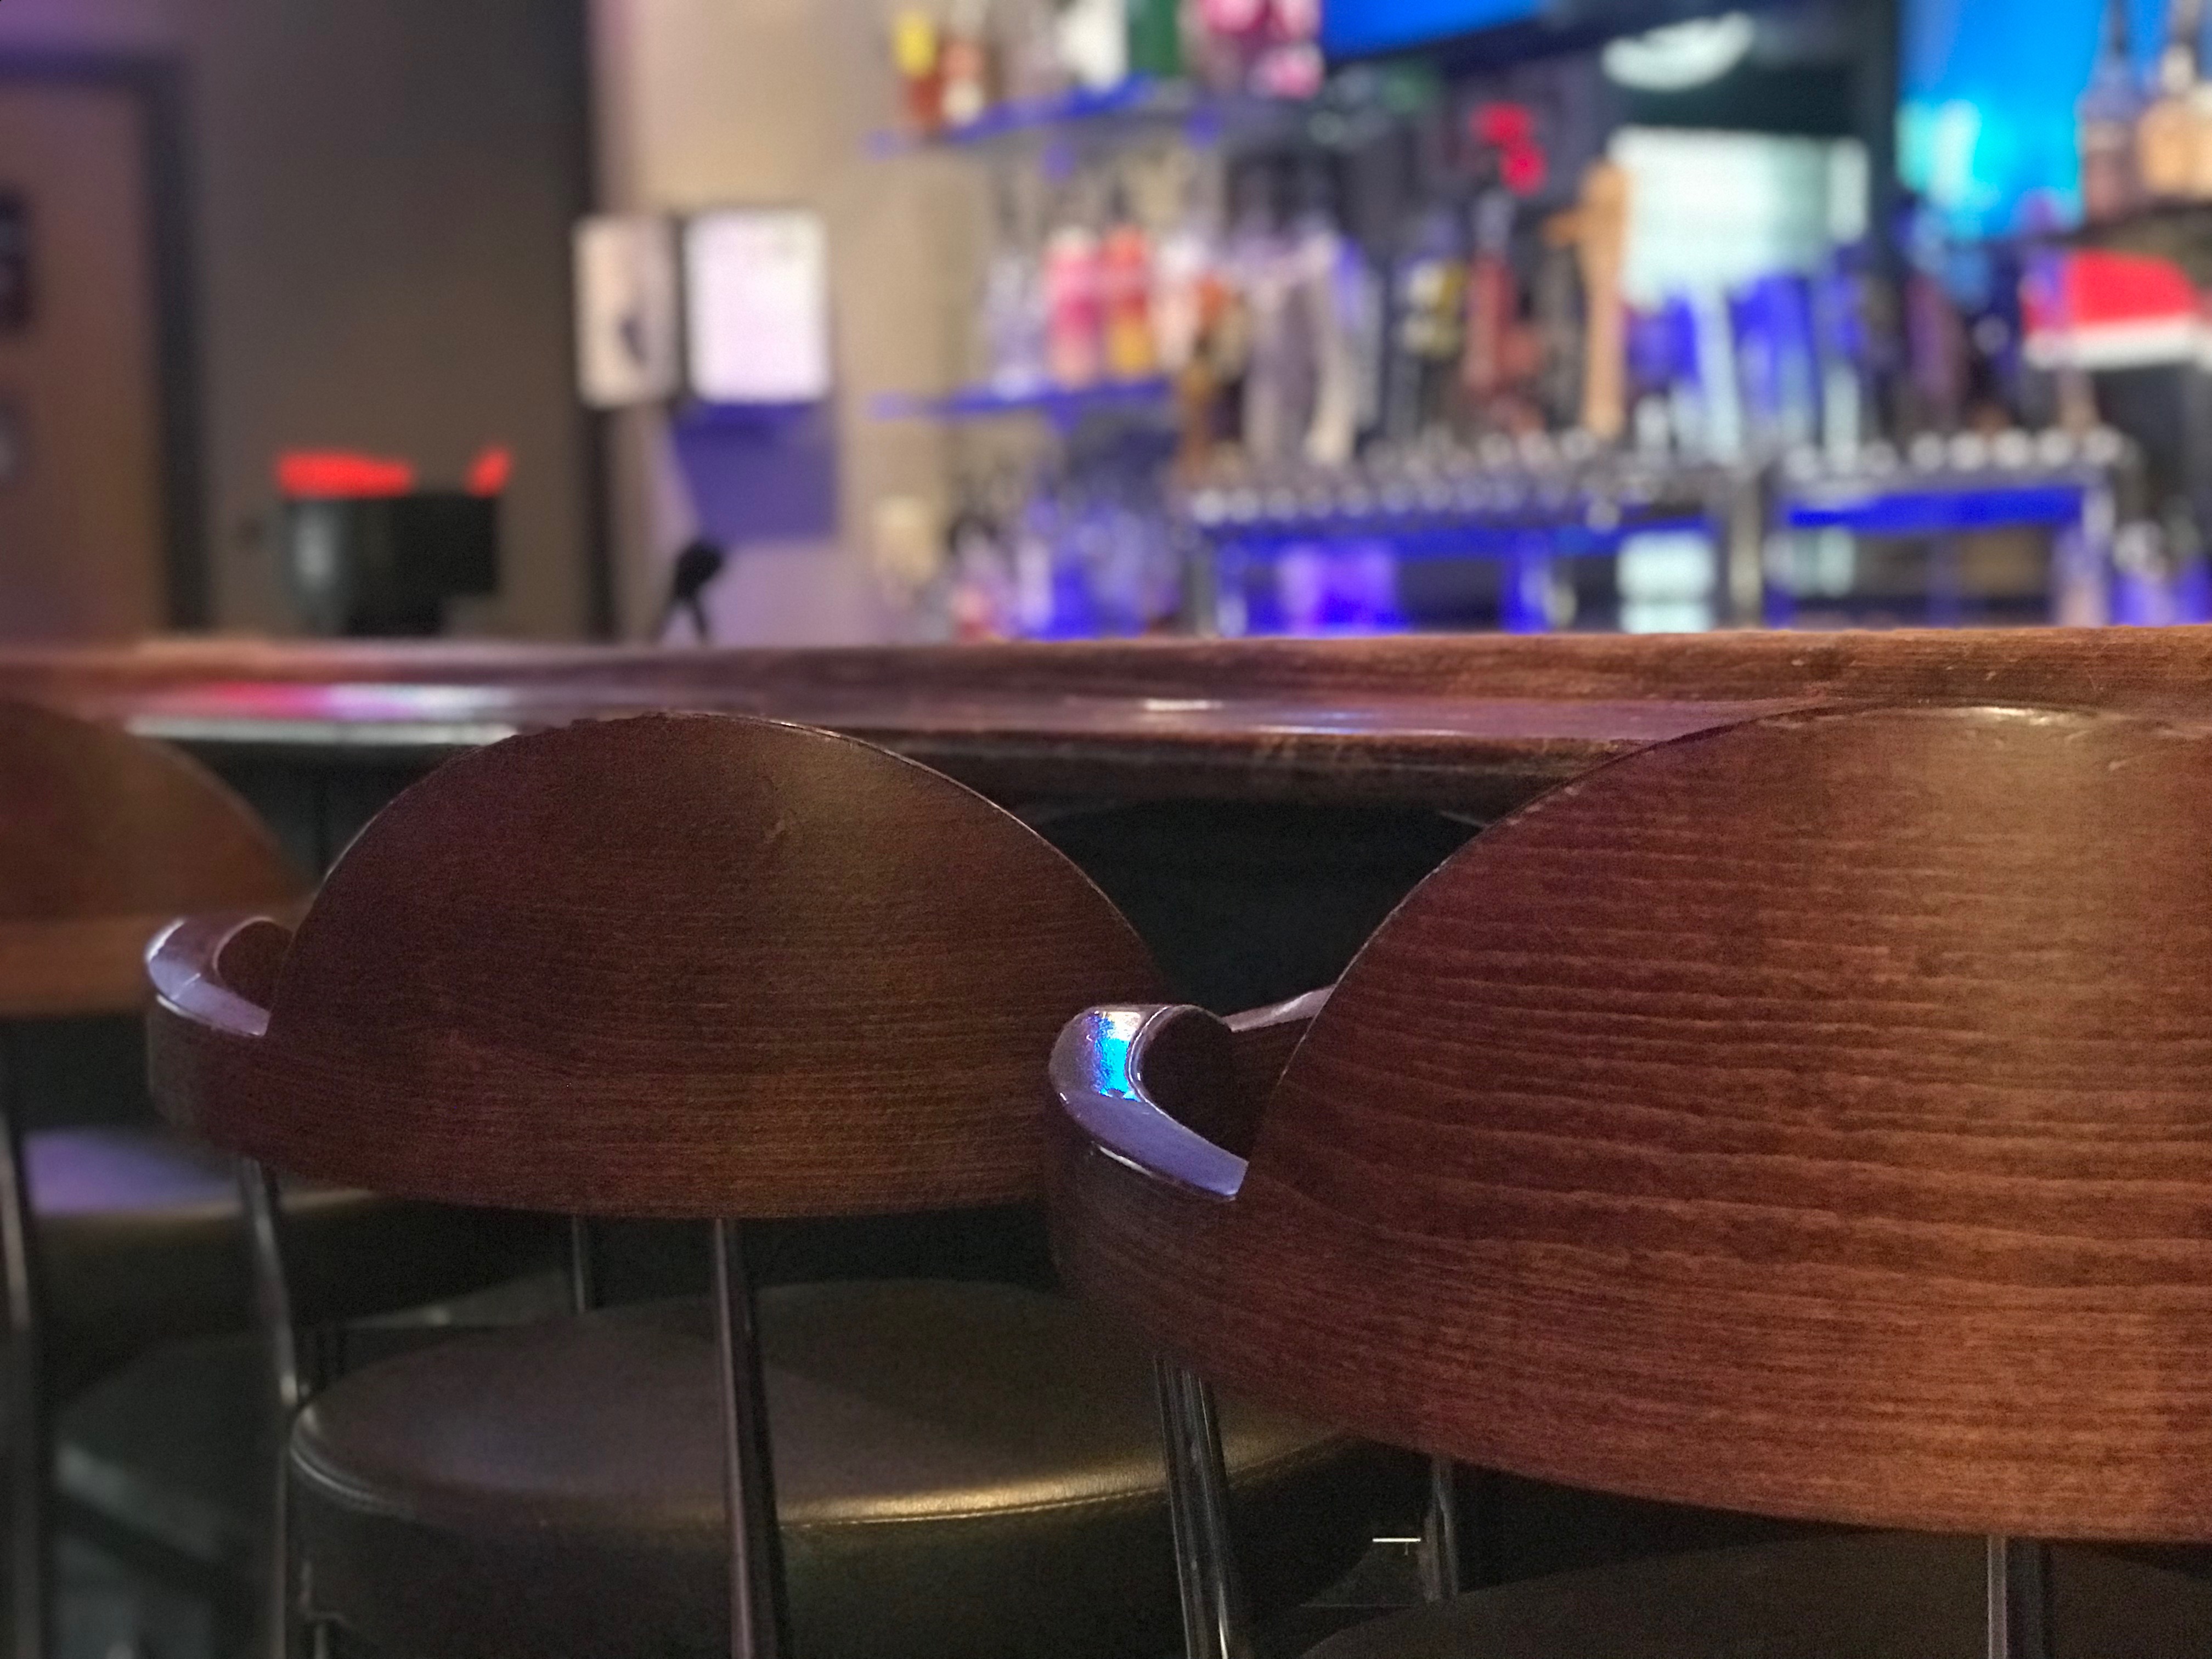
{"x": 382, "y": 211}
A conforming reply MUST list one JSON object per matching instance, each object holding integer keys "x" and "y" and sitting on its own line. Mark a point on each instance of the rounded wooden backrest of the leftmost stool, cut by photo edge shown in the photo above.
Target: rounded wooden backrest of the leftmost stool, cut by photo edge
{"x": 105, "y": 839}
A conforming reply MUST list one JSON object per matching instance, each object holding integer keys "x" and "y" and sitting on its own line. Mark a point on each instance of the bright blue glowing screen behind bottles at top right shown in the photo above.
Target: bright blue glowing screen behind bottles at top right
{"x": 1990, "y": 94}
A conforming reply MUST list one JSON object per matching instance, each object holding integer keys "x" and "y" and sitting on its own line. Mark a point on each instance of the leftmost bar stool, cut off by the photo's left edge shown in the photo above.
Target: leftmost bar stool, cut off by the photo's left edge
{"x": 121, "y": 1235}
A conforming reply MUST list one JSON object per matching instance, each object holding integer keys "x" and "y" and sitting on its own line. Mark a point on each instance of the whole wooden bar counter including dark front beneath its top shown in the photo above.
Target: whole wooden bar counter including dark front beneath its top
{"x": 1258, "y": 806}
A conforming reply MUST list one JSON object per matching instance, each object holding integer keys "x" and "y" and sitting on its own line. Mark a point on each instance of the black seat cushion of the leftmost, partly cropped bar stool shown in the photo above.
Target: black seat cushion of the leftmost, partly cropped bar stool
{"x": 140, "y": 1244}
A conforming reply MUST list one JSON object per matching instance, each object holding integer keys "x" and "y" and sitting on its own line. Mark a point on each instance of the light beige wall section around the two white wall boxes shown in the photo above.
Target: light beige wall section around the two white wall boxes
{"x": 775, "y": 101}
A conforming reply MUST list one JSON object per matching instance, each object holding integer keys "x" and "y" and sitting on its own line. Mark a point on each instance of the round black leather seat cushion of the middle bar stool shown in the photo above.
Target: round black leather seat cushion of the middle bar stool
{"x": 966, "y": 1472}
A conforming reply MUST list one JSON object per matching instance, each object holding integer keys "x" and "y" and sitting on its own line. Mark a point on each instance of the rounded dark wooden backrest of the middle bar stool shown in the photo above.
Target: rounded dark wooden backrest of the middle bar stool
{"x": 660, "y": 968}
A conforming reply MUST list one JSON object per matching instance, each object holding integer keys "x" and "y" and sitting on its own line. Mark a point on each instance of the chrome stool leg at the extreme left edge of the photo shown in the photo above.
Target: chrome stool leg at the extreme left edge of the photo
{"x": 30, "y": 1452}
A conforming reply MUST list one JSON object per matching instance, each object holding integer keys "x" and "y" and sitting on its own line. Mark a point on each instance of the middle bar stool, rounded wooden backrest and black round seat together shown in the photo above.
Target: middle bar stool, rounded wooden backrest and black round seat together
{"x": 733, "y": 972}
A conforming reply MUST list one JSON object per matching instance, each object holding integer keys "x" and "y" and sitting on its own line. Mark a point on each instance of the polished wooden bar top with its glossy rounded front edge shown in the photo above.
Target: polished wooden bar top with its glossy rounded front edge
{"x": 1468, "y": 724}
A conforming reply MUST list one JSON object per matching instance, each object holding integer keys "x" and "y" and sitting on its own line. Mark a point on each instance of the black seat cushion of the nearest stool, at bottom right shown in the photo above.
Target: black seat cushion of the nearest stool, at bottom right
{"x": 1877, "y": 1596}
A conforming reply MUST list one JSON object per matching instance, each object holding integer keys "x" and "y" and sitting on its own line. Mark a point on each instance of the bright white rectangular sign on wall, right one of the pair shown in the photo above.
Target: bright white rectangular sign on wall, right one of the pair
{"x": 758, "y": 306}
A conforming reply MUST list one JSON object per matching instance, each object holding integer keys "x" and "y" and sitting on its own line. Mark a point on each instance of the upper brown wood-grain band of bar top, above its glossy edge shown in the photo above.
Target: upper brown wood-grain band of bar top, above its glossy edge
{"x": 2147, "y": 669}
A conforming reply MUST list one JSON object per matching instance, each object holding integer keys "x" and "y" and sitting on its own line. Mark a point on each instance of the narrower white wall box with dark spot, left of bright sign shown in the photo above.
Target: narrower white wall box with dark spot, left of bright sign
{"x": 627, "y": 311}
